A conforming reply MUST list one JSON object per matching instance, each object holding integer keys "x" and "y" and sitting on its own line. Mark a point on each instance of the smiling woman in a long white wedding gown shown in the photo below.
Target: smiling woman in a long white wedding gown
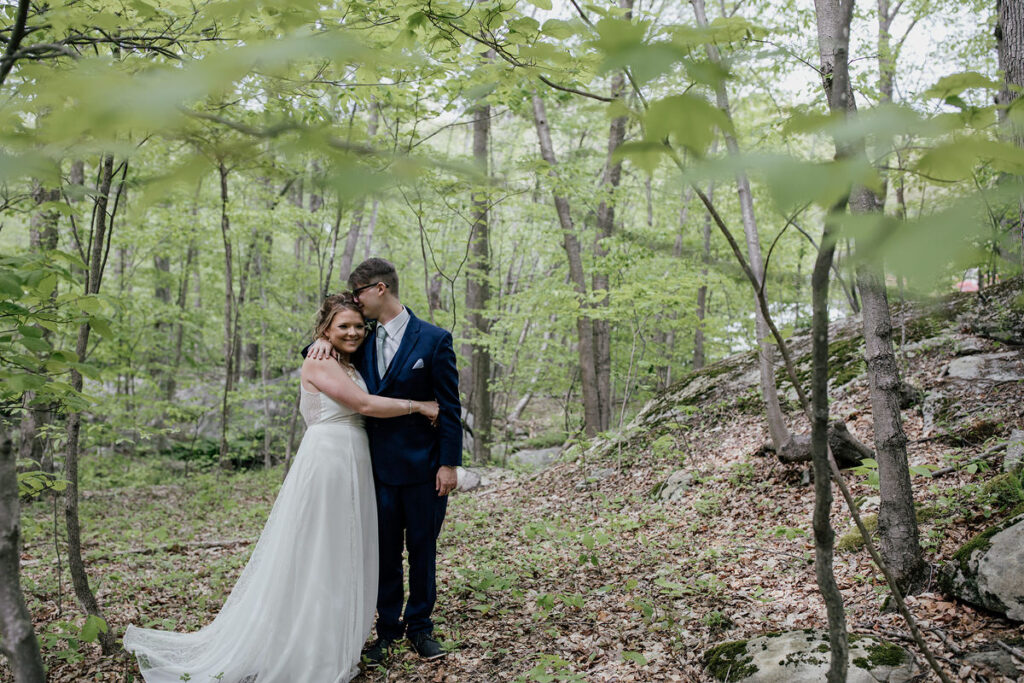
{"x": 305, "y": 604}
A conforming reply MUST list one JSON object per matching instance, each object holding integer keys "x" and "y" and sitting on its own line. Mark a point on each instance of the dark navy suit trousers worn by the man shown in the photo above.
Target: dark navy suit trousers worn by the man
{"x": 410, "y": 516}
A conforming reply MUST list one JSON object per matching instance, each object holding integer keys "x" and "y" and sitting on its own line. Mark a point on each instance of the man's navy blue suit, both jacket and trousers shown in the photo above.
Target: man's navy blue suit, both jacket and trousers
{"x": 407, "y": 453}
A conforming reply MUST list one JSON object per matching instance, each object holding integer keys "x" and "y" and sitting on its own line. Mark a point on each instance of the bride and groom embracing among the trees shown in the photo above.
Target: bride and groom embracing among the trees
{"x": 357, "y": 495}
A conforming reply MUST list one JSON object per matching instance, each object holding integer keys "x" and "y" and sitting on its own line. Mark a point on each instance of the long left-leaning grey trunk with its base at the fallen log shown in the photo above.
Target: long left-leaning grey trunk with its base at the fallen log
{"x": 777, "y": 425}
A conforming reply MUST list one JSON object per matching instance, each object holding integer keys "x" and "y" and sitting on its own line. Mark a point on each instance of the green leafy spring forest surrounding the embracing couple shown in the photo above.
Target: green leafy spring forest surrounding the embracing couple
{"x": 736, "y": 291}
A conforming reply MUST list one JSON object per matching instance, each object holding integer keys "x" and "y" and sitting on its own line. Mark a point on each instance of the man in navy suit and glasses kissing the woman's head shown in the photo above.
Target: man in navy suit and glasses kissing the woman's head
{"x": 414, "y": 462}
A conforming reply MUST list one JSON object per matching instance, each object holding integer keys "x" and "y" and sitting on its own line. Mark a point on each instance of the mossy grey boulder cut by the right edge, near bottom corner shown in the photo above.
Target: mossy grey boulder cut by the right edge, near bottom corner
{"x": 989, "y": 571}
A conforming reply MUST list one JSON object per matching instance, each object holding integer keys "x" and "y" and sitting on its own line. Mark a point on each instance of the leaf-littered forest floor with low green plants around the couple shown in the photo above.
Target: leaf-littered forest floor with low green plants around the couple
{"x": 576, "y": 573}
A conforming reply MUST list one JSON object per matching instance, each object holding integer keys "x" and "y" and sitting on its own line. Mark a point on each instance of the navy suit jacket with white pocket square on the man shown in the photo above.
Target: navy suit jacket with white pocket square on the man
{"x": 407, "y": 450}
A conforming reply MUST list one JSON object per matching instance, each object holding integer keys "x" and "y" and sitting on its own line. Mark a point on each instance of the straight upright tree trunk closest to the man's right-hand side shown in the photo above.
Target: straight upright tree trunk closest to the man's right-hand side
{"x": 478, "y": 296}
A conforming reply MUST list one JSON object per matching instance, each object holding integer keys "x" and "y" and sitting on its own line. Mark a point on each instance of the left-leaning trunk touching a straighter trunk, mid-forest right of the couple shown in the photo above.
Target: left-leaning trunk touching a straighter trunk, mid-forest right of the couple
{"x": 585, "y": 331}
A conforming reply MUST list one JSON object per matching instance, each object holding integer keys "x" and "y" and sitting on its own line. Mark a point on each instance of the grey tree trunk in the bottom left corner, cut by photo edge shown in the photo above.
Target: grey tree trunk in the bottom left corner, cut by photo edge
{"x": 18, "y": 641}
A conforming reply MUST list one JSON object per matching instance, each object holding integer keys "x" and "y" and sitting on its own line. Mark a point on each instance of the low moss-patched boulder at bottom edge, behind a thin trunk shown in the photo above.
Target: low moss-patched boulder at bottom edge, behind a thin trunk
{"x": 802, "y": 657}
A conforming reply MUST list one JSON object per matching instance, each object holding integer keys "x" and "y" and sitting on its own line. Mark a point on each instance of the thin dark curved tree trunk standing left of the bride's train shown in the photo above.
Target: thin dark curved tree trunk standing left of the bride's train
{"x": 101, "y": 238}
